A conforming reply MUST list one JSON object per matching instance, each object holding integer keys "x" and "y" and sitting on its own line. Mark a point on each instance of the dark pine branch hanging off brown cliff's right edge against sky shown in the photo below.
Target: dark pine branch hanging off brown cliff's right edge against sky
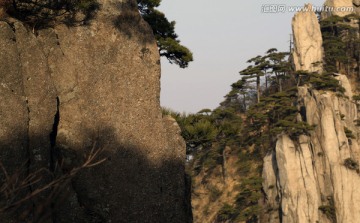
{"x": 164, "y": 31}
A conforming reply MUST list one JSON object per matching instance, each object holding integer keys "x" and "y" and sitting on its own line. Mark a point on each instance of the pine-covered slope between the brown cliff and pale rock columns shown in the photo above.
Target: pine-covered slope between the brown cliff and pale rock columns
{"x": 261, "y": 105}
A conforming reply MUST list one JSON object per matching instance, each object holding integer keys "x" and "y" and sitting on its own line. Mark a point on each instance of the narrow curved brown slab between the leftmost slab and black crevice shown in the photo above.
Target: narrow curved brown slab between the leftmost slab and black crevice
{"x": 40, "y": 94}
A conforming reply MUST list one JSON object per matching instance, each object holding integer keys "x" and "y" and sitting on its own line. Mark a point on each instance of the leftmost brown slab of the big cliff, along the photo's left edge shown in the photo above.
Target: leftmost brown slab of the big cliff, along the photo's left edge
{"x": 13, "y": 119}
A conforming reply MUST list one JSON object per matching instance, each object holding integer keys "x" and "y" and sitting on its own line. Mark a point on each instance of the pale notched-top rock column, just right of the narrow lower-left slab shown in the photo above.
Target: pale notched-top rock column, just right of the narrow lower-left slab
{"x": 297, "y": 183}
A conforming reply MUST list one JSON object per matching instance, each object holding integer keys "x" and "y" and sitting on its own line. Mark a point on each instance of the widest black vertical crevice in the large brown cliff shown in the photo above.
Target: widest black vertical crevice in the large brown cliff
{"x": 53, "y": 136}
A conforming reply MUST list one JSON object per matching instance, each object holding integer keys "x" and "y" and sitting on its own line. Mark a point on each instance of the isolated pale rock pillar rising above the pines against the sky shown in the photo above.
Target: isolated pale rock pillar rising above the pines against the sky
{"x": 307, "y": 54}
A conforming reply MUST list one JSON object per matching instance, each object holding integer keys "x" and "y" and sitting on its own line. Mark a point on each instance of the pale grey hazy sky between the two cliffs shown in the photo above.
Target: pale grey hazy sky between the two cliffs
{"x": 222, "y": 35}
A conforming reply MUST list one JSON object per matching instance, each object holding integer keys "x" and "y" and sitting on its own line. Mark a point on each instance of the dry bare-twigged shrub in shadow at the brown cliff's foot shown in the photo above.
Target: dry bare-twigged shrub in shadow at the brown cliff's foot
{"x": 19, "y": 190}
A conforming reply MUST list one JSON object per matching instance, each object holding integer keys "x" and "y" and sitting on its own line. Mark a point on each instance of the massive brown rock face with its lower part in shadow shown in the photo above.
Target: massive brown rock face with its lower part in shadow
{"x": 66, "y": 90}
